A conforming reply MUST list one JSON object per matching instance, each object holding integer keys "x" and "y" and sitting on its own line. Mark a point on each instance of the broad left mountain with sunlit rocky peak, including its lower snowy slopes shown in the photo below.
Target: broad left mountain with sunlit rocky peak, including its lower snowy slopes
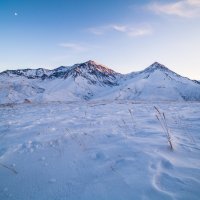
{"x": 81, "y": 81}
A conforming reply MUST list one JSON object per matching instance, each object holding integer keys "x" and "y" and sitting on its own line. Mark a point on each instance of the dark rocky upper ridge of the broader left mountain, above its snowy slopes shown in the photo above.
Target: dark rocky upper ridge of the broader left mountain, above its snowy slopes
{"x": 93, "y": 72}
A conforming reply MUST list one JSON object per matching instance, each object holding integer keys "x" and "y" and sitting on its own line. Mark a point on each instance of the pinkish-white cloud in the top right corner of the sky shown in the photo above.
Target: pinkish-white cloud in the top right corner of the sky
{"x": 184, "y": 8}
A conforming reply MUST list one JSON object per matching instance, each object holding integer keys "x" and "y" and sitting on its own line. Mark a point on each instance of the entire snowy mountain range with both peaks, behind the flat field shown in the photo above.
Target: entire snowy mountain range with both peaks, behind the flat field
{"x": 90, "y": 80}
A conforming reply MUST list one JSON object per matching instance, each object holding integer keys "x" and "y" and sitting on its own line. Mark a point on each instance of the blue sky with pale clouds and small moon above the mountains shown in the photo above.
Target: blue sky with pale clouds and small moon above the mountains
{"x": 125, "y": 35}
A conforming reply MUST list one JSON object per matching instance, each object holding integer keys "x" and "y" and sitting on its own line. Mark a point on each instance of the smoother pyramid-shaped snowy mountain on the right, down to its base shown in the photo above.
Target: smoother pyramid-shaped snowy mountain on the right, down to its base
{"x": 157, "y": 82}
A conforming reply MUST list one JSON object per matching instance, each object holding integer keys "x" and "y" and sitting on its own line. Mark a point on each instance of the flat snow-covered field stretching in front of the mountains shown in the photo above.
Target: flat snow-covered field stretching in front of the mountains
{"x": 99, "y": 151}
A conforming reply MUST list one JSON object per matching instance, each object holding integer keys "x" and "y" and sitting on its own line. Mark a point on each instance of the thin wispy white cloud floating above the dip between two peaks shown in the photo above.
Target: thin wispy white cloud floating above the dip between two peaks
{"x": 128, "y": 30}
